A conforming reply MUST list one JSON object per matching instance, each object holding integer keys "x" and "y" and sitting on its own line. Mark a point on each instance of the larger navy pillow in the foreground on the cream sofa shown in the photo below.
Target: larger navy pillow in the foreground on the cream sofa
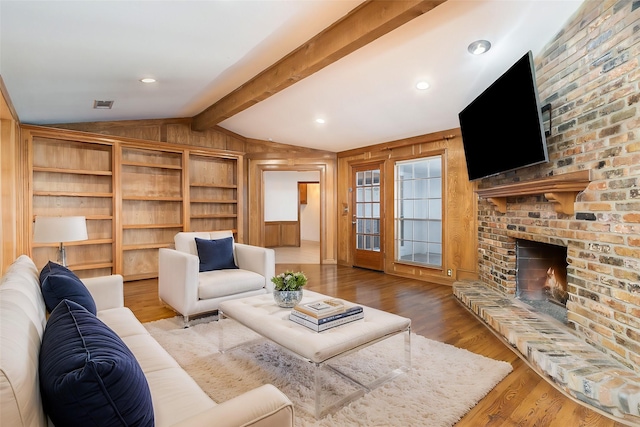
{"x": 88, "y": 376}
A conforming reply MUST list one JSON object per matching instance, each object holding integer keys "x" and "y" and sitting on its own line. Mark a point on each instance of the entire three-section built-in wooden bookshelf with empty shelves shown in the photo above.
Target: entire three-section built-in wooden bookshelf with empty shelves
{"x": 136, "y": 195}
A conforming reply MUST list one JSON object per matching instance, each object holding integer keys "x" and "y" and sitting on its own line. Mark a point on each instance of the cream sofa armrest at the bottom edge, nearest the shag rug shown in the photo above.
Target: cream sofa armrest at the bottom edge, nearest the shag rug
{"x": 265, "y": 406}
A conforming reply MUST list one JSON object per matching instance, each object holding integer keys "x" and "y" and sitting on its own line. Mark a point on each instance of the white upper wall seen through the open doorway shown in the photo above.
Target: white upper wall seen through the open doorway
{"x": 281, "y": 194}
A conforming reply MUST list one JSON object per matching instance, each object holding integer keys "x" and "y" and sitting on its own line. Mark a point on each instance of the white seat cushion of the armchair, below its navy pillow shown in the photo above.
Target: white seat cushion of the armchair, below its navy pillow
{"x": 222, "y": 283}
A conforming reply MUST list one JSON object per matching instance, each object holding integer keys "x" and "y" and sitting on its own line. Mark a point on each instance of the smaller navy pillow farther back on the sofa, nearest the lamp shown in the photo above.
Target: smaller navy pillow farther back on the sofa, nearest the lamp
{"x": 58, "y": 283}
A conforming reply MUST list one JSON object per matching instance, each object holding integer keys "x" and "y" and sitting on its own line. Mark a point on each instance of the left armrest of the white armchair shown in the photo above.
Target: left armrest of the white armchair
{"x": 178, "y": 279}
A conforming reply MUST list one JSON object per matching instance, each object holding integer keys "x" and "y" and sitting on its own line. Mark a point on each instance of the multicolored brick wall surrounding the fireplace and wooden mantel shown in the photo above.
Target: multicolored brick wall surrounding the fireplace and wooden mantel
{"x": 590, "y": 74}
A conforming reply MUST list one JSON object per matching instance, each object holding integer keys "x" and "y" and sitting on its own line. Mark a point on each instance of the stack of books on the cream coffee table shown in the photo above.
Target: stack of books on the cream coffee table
{"x": 326, "y": 314}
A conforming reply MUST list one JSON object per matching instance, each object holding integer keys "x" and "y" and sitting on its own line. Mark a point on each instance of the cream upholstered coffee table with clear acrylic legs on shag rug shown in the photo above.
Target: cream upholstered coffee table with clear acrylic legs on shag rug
{"x": 321, "y": 349}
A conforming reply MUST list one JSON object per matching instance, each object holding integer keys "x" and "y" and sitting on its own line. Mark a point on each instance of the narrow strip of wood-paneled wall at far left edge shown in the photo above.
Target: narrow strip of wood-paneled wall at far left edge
{"x": 11, "y": 166}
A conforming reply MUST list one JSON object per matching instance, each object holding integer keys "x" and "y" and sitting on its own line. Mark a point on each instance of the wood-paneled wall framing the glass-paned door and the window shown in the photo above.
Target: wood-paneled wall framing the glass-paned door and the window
{"x": 459, "y": 221}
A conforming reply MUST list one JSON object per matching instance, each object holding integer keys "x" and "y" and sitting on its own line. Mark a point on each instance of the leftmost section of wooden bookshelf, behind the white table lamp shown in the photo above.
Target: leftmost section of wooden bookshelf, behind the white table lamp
{"x": 71, "y": 178}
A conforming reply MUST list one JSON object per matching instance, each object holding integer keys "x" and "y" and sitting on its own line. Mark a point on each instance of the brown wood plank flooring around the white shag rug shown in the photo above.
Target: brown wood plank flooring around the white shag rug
{"x": 523, "y": 398}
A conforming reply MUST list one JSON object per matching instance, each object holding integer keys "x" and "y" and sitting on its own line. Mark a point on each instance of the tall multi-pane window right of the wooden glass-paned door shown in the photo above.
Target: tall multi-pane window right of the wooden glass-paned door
{"x": 418, "y": 211}
